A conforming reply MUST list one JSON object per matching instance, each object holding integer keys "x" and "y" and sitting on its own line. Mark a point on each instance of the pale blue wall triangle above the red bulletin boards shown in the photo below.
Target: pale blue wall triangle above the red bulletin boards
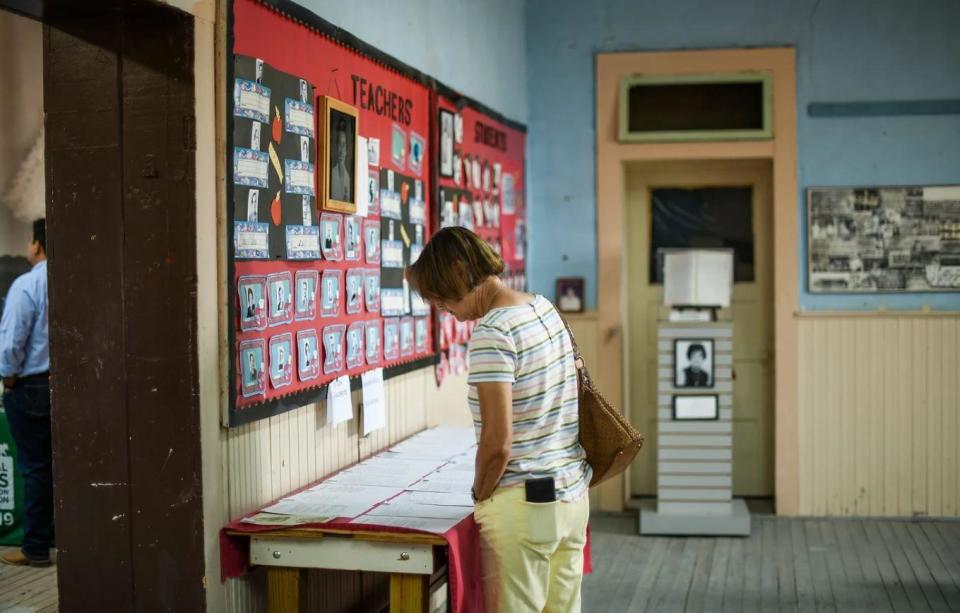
{"x": 474, "y": 46}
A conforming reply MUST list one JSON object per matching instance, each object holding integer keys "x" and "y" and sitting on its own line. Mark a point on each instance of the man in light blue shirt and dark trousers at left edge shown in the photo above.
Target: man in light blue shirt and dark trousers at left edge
{"x": 25, "y": 368}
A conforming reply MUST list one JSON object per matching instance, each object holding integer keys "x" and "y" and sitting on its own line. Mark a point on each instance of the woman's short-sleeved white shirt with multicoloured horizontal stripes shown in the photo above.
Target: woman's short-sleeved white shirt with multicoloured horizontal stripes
{"x": 528, "y": 347}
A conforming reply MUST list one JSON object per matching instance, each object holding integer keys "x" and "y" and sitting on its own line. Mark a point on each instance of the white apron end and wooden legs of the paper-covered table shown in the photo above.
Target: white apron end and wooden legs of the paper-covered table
{"x": 415, "y": 562}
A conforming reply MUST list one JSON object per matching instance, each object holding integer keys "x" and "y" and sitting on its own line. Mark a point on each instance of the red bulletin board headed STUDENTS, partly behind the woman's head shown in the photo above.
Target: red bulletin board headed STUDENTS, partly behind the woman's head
{"x": 482, "y": 174}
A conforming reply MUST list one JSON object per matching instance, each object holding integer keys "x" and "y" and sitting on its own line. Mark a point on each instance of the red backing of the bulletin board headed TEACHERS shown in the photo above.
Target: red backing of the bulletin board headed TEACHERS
{"x": 387, "y": 100}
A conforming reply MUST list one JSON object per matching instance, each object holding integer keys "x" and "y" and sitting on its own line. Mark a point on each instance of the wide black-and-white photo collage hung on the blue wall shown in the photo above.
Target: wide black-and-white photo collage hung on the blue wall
{"x": 883, "y": 239}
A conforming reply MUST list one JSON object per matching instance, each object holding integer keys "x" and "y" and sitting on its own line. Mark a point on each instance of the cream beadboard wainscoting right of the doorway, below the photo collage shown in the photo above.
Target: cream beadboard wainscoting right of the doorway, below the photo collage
{"x": 878, "y": 414}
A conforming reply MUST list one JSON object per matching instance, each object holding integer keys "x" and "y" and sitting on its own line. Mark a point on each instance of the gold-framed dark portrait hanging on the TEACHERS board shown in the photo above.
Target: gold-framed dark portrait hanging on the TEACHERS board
{"x": 337, "y": 176}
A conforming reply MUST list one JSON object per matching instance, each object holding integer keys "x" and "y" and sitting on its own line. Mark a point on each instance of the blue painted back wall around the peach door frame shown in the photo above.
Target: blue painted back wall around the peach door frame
{"x": 847, "y": 50}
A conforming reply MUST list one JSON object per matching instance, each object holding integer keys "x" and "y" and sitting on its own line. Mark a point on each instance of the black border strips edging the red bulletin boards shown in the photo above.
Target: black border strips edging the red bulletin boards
{"x": 306, "y": 17}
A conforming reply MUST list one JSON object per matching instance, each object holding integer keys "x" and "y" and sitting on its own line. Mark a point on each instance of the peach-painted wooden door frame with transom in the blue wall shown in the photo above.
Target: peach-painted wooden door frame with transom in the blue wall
{"x": 612, "y": 158}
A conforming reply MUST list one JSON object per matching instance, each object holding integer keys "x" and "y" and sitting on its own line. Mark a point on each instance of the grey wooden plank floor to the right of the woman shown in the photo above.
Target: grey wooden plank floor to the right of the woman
{"x": 796, "y": 565}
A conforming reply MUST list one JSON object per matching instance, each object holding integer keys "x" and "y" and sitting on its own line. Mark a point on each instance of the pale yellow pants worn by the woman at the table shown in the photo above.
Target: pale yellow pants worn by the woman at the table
{"x": 532, "y": 553}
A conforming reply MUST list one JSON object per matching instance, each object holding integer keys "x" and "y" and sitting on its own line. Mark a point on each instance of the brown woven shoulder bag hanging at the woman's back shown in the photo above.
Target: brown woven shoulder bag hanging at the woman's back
{"x": 609, "y": 440}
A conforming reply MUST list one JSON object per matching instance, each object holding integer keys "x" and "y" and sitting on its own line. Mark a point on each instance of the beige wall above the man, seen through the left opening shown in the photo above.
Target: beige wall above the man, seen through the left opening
{"x": 21, "y": 106}
